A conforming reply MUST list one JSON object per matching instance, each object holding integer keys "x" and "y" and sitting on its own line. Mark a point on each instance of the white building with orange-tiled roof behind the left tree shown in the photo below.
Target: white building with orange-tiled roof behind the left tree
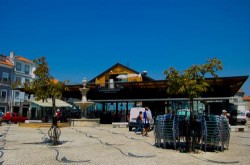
{"x": 23, "y": 72}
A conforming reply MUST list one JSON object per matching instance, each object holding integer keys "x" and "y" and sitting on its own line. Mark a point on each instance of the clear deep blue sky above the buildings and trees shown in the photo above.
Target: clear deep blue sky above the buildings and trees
{"x": 82, "y": 38}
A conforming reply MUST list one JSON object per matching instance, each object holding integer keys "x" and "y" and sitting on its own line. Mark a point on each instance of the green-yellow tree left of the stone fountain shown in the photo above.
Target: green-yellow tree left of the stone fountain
{"x": 45, "y": 86}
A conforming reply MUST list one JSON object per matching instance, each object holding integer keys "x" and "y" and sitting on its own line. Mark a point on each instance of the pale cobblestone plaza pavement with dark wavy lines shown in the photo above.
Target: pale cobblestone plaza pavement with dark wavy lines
{"x": 106, "y": 145}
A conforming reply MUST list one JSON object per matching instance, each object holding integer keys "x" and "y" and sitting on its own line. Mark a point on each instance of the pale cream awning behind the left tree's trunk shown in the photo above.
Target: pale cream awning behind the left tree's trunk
{"x": 48, "y": 103}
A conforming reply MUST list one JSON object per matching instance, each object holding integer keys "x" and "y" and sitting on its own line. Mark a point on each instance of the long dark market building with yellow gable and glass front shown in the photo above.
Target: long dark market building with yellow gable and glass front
{"x": 119, "y": 88}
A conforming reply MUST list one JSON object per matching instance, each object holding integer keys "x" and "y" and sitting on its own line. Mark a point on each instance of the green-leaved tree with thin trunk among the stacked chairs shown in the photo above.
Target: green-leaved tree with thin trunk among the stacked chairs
{"x": 192, "y": 83}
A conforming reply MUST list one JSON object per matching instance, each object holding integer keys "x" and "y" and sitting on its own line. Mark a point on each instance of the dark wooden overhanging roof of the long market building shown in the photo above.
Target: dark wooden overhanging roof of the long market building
{"x": 220, "y": 87}
